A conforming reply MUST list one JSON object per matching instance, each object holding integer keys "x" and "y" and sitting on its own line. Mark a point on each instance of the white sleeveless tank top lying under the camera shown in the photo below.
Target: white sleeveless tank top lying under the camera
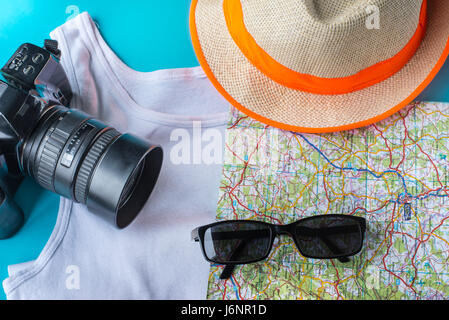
{"x": 153, "y": 258}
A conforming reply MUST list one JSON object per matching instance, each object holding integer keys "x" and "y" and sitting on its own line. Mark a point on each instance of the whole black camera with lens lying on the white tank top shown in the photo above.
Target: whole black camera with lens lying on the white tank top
{"x": 63, "y": 149}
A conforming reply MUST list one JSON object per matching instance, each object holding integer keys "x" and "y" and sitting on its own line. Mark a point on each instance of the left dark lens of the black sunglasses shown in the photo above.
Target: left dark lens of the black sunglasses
{"x": 237, "y": 242}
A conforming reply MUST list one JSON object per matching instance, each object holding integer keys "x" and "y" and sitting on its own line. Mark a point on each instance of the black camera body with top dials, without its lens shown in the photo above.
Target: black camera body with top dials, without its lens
{"x": 35, "y": 80}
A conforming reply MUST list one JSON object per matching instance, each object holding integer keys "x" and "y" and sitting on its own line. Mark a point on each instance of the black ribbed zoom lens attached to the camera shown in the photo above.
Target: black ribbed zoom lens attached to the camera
{"x": 85, "y": 160}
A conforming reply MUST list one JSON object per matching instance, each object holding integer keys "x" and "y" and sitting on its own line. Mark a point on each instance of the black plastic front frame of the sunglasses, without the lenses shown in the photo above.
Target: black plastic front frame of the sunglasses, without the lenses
{"x": 275, "y": 230}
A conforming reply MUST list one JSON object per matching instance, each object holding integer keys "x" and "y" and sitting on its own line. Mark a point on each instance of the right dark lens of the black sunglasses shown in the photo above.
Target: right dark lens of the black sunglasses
{"x": 325, "y": 237}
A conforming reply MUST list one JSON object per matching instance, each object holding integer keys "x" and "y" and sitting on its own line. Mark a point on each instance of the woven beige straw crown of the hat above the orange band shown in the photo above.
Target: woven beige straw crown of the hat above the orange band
{"x": 331, "y": 38}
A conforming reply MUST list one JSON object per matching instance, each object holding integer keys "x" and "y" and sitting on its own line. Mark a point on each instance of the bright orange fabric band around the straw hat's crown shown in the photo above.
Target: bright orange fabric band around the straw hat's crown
{"x": 308, "y": 83}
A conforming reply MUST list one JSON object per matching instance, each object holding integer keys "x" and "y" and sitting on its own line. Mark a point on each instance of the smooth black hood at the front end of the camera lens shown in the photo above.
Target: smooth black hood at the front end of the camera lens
{"x": 124, "y": 179}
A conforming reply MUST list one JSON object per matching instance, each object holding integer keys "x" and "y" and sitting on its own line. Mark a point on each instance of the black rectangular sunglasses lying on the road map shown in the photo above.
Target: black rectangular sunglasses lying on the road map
{"x": 233, "y": 242}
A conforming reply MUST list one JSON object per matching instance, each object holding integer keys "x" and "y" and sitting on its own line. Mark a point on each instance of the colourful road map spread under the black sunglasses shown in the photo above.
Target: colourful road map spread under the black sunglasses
{"x": 394, "y": 173}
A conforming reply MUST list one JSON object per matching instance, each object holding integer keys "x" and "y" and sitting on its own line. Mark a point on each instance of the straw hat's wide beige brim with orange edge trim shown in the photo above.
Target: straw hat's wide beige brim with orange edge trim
{"x": 267, "y": 101}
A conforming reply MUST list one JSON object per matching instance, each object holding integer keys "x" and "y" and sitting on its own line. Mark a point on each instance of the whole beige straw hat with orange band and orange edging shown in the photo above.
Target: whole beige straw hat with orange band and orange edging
{"x": 320, "y": 65}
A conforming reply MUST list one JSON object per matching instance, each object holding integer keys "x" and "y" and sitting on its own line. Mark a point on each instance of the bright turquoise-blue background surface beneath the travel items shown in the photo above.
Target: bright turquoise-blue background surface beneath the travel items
{"x": 147, "y": 35}
